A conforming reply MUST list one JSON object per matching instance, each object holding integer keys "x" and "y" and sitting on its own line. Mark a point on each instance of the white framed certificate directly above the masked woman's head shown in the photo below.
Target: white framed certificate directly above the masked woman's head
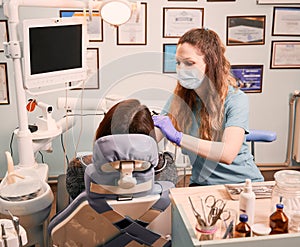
{"x": 176, "y": 21}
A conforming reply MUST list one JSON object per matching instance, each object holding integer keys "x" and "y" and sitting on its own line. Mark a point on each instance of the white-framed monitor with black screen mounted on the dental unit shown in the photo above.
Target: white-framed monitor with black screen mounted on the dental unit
{"x": 54, "y": 52}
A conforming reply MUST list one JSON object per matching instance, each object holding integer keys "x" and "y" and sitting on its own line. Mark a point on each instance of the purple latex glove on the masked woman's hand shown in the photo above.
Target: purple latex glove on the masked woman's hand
{"x": 167, "y": 128}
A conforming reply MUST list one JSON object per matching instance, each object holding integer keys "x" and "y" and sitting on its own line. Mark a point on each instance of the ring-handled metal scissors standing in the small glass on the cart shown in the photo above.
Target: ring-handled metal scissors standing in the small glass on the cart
{"x": 216, "y": 209}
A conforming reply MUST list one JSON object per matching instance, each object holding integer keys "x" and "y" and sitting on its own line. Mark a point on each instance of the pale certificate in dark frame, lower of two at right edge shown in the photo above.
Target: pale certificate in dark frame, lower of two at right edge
{"x": 285, "y": 54}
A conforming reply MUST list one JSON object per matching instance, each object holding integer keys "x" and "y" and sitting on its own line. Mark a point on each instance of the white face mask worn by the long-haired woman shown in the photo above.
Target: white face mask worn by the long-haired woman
{"x": 190, "y": 78}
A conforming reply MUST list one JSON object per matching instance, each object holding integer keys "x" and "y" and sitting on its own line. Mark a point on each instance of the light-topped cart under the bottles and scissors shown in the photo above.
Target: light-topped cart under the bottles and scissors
{"x": 184, "y": 222}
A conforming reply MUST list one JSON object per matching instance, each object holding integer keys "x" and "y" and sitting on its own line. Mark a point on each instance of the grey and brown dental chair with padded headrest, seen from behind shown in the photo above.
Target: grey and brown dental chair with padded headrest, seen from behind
{"x": 121, "y": 205}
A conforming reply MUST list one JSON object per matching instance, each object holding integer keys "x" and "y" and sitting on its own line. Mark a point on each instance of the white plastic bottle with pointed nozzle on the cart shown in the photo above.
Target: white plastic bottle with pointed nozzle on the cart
{"x": 247, "y": 202}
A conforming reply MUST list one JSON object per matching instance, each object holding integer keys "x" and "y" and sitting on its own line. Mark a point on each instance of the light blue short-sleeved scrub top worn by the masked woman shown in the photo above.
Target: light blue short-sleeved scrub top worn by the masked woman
{"x": 206, "y": 172}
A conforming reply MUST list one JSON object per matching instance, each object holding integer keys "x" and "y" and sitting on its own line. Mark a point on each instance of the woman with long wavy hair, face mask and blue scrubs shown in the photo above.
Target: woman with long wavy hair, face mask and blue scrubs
{"x": 207, "y": 115}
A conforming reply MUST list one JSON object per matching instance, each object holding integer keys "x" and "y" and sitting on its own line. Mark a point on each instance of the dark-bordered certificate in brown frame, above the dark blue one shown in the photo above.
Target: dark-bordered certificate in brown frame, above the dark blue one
{"x": 245, "y": 30}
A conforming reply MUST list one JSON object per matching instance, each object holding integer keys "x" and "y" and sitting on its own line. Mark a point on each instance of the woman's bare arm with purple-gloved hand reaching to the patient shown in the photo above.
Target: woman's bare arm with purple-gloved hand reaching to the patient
{"x": 224, "y": 151}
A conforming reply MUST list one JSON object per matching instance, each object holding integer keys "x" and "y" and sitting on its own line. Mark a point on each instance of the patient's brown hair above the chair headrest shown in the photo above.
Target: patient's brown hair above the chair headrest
{"x": 128, "y": 116}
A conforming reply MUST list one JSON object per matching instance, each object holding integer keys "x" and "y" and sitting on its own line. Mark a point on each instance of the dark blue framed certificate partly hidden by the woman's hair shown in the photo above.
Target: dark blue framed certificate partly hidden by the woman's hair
{"x": 249, "y": 77}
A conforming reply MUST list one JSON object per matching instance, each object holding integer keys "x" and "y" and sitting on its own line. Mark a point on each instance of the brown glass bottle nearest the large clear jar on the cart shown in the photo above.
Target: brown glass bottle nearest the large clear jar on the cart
{"x": 279, "y": 221}
